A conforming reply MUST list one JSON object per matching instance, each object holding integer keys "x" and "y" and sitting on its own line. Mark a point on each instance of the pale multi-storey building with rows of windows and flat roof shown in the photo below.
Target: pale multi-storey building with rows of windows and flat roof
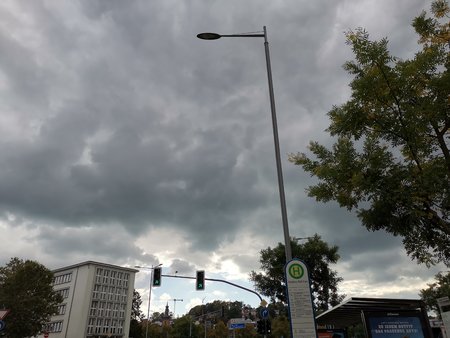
{"x": 97, "y": 301}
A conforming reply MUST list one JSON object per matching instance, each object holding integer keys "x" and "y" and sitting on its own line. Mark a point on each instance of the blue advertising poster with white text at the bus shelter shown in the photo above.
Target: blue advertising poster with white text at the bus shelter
{"x": 395, "y": 324}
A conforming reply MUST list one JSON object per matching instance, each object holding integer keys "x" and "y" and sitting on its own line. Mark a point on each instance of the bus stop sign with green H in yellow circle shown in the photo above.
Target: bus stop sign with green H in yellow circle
{"x": 301, "y": 310}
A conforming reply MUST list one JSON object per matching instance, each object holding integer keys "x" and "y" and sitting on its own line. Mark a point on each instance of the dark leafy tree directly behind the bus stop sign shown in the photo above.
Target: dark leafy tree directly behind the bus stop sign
{"x": 317, "y": 255}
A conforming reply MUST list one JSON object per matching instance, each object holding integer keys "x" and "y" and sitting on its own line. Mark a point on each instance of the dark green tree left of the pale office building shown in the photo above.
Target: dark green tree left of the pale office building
{"x": 26, "y": 290}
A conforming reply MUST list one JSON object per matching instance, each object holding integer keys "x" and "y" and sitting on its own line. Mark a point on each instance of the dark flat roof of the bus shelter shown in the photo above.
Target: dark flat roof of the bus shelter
{"x": 348, "y": 312}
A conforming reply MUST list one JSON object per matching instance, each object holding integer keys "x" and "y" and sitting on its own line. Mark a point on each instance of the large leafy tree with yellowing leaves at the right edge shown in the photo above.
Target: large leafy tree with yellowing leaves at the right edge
{"x": 391, "y": 159}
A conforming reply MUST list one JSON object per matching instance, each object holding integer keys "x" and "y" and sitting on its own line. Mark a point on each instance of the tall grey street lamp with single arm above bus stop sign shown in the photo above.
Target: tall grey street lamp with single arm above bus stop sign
{"x": 215, "y": 36}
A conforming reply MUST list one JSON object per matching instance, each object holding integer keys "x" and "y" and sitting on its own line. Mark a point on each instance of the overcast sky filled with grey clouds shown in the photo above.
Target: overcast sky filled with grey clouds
{"x": 126, "y": 140}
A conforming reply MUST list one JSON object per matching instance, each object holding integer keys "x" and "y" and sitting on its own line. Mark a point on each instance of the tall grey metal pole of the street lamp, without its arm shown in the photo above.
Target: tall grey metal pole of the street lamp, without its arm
{"x": 287, "y": 240}
